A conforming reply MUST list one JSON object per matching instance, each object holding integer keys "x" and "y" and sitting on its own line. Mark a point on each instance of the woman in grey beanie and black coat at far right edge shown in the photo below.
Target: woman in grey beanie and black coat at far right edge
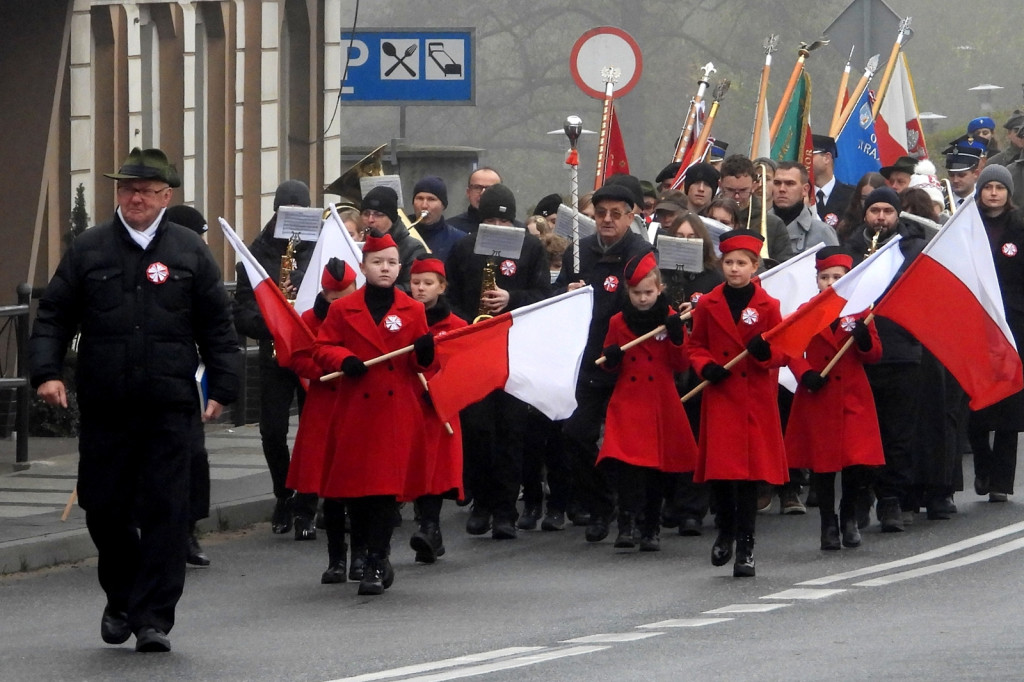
{"x": 996, "y": 456}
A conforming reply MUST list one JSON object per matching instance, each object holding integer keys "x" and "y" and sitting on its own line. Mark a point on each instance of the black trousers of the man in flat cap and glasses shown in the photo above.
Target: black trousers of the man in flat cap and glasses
{"x": 582, "y": 432}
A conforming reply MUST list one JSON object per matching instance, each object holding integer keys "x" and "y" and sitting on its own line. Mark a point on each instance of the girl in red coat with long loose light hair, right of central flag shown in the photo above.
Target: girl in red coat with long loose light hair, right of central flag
{"x": 646, "y": 431}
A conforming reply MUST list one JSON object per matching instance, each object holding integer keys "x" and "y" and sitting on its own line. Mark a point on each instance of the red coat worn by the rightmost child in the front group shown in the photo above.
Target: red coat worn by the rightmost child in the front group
{"x": 836, "y": 427}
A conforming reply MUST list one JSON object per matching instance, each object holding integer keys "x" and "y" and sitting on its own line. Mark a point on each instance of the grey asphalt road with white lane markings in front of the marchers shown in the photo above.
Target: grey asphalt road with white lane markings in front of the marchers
{"x": 941, "y": 602}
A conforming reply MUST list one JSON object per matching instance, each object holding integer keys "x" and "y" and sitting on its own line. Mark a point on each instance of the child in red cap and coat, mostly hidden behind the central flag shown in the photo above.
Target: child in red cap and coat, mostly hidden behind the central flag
{"x": 439, "y": 472}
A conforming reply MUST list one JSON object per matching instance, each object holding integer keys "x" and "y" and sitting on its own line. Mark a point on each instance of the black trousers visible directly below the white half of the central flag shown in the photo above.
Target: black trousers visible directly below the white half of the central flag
{"x": 543, "y": 451}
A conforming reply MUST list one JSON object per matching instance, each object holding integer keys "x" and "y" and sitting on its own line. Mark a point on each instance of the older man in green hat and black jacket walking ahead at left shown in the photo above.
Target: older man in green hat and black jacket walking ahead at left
{"x": 149, "y": 303}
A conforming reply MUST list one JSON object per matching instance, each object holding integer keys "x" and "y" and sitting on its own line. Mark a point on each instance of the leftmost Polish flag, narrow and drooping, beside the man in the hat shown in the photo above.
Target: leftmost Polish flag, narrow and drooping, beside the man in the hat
{"x": 290, "y": 333}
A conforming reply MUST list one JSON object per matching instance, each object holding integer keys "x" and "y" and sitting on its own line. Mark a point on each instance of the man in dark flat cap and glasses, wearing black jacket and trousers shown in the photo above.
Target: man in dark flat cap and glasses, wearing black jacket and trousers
{"x": 603, "y": 261}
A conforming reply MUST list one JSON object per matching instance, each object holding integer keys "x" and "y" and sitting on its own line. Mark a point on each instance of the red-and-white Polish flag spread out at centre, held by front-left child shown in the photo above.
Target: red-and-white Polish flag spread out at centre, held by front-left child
{"x": 533, "y": 354}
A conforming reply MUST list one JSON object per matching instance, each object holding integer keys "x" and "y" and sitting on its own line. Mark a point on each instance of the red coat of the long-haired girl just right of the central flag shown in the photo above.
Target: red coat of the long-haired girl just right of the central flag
{"x": 647, "y": 425}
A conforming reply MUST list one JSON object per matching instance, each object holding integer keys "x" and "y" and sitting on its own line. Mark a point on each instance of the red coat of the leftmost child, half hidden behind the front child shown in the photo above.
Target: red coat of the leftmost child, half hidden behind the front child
{"x": 311, "y": 440}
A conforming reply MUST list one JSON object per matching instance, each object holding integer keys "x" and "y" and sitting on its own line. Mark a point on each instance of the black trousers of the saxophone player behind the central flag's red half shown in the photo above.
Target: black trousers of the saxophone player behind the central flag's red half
{"x": 492, "y": 446}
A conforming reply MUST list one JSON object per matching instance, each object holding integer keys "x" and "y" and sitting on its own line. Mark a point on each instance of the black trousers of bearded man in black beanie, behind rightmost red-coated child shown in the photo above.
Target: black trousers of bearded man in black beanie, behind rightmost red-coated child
{"x": 897, "y": 397}
